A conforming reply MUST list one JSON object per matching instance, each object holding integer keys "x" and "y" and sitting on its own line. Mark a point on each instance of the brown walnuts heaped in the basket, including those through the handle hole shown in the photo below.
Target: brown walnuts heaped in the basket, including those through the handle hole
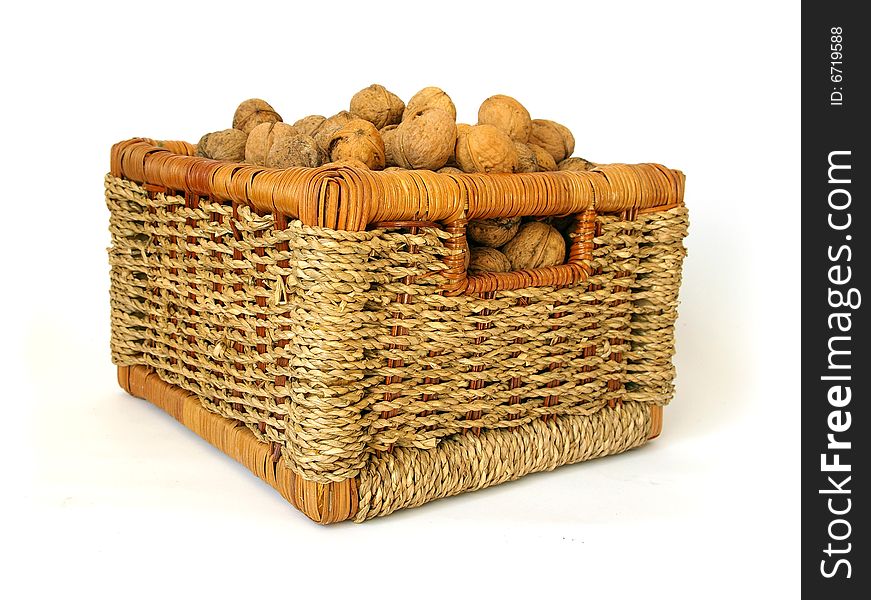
{"x": 381, "y": 132}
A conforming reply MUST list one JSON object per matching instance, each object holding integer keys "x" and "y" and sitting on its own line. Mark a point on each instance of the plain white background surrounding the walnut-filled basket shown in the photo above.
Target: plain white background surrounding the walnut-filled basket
{"x": 109, "y": 497}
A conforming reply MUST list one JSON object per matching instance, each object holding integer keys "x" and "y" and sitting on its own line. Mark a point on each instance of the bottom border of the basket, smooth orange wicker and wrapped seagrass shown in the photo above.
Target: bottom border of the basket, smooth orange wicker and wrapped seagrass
{"x": 507, "y": 454}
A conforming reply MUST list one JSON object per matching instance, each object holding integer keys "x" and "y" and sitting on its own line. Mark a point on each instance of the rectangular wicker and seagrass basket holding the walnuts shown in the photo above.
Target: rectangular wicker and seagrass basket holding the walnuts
{"x": 319, "y": 326}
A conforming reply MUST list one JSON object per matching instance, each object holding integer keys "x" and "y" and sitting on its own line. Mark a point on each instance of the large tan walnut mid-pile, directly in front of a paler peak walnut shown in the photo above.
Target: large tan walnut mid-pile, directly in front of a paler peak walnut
{"x": 424, "y": 140}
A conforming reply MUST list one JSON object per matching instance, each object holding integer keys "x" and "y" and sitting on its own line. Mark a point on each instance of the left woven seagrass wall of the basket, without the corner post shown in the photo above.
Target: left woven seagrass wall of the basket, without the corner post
{"x": 191, "y": 299}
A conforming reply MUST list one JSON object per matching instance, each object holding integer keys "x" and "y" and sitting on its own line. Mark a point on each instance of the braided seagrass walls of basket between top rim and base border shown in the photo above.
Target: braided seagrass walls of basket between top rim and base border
{"x": 334, "y": 347}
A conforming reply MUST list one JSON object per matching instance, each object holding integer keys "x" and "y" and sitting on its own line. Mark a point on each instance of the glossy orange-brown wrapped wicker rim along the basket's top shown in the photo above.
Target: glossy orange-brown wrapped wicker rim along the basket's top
{"x": 346, "y": 197}
